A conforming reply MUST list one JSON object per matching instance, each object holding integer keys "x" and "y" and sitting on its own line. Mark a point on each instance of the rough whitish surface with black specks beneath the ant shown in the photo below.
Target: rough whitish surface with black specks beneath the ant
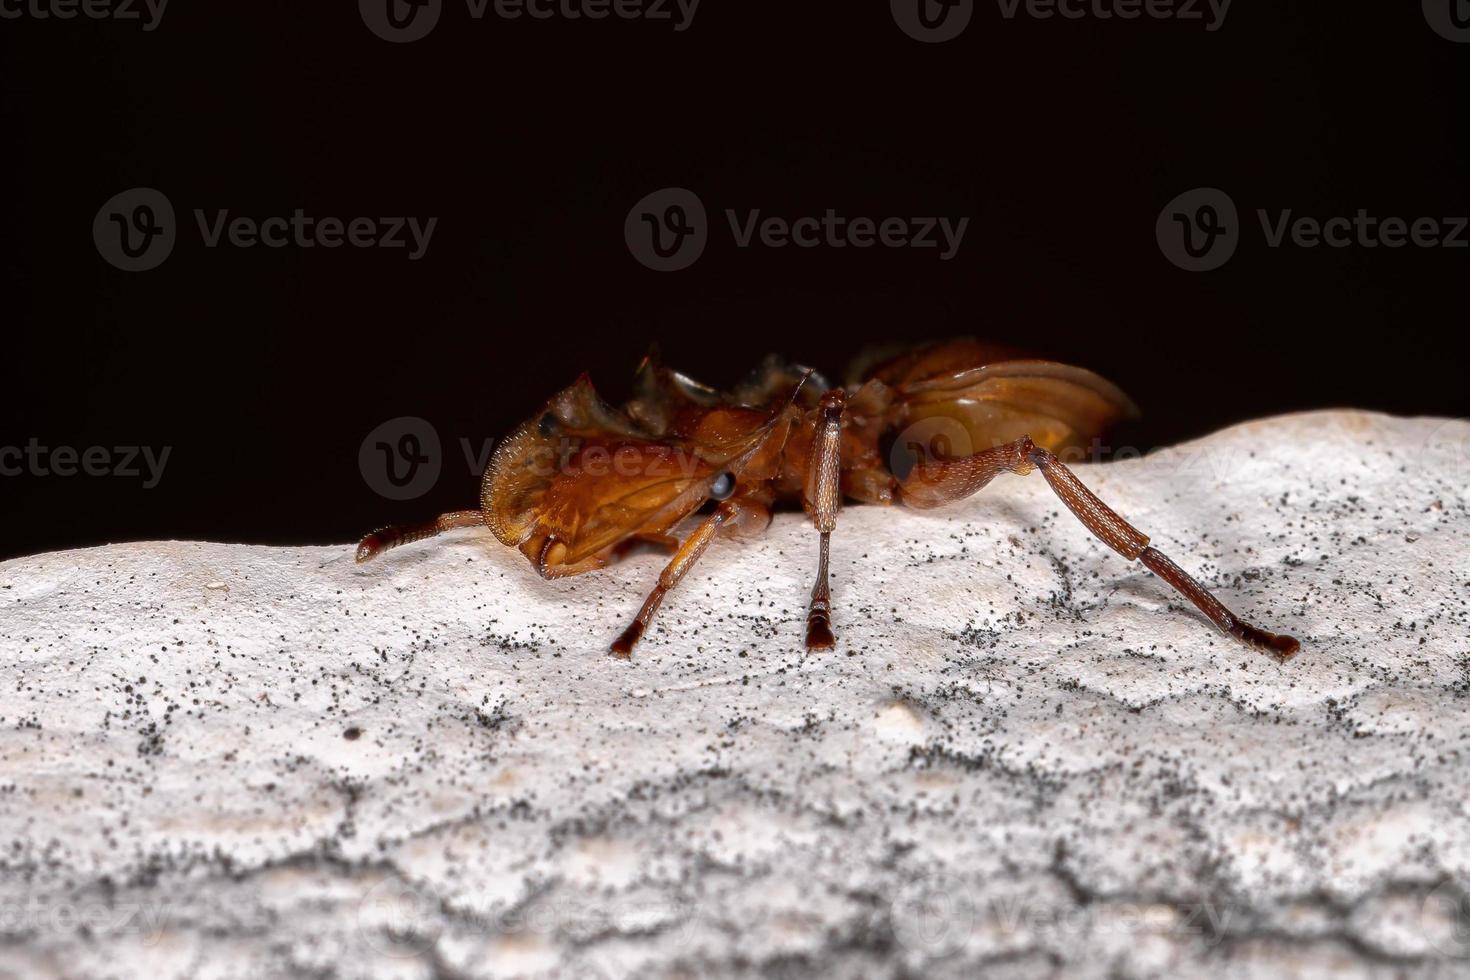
{"x": 1024, "y": 756}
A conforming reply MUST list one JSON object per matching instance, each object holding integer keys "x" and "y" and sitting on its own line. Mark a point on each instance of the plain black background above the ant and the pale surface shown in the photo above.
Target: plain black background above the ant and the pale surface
{"x": 1062, "y": 140}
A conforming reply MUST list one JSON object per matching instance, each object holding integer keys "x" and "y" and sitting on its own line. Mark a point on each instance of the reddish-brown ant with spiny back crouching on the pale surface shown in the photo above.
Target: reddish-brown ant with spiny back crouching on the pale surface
{"x": 581, "y": 484}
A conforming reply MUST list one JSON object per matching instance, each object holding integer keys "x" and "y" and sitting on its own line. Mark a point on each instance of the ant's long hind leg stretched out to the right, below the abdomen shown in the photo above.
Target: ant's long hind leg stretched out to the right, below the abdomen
{"x": 934, "y": 483}
